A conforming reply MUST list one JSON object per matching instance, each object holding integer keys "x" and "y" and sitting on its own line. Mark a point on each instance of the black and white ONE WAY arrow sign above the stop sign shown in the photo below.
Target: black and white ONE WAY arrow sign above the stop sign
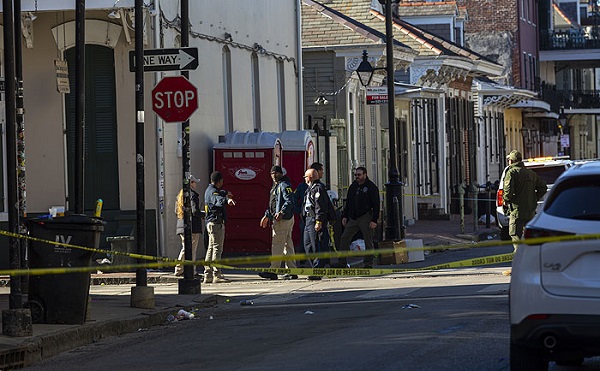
{"x": 167, "y": 59}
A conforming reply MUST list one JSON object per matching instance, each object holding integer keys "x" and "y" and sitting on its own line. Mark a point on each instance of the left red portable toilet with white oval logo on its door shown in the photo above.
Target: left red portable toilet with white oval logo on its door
{"x": 245, "y": 160}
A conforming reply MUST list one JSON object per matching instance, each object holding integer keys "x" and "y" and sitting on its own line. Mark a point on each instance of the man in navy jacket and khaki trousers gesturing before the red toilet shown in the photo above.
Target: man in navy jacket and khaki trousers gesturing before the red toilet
{"x": 215, "y": 202}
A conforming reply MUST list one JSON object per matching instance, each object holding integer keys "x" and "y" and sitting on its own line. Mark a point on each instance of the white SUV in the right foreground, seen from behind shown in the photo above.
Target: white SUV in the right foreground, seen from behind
{"x": 555, "y": 286}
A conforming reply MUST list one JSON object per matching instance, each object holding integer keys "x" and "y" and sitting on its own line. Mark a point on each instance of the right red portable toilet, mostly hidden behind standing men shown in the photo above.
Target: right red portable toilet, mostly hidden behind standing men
{"x": 298, "y": 155}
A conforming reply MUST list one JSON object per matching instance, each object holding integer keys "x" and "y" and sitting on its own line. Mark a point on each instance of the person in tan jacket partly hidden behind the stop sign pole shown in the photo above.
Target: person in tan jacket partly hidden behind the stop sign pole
{"x": 197, "y": 215}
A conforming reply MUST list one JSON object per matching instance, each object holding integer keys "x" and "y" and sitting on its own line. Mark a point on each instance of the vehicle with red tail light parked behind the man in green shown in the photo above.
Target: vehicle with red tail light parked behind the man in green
{"x": 548, "y": 168}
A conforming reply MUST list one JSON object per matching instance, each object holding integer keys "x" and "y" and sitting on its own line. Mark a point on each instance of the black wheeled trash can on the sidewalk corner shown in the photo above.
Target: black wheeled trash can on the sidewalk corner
{"x": 61, "y": 298}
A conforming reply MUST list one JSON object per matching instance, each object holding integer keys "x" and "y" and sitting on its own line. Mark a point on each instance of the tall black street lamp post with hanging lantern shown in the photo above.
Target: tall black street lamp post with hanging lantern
{"x": 394, "y": 229}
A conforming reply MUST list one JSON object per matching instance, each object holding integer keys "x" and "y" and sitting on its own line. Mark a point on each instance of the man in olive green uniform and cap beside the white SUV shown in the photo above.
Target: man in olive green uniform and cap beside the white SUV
{"x": 523, "y": 188}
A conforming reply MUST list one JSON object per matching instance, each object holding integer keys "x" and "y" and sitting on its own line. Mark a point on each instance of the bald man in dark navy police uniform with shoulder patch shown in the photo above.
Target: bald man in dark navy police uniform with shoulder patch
{"x": 315, "y": 207}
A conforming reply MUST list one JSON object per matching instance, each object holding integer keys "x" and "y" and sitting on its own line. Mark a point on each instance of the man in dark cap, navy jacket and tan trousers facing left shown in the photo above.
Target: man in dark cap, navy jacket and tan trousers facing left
{"x": 281, "y": 215}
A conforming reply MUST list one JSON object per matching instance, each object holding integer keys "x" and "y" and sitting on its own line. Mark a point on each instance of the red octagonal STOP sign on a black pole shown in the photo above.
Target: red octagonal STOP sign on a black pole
{"x": 174, "y": 99}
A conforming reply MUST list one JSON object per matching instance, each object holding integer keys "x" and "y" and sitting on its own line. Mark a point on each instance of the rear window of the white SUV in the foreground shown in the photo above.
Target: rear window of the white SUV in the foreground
{"x": 576, "y": 199}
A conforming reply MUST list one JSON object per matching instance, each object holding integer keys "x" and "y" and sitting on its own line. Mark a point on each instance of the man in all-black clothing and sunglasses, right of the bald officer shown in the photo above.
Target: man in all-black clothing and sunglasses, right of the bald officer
{"x": 361, "y": 213}
